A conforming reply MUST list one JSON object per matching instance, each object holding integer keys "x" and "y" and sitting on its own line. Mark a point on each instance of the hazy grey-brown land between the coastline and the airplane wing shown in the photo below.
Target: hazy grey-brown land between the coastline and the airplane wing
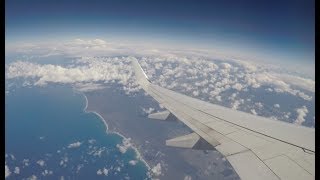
{"x": 126, "y": 116}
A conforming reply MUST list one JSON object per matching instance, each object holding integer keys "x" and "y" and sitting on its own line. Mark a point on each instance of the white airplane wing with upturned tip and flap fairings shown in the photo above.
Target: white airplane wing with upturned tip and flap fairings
{"x": 256, "y": 147}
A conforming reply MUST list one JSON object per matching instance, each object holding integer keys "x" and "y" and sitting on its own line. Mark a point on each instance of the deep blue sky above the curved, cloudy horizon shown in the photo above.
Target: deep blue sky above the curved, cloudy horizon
{"x": 276, "y": 29}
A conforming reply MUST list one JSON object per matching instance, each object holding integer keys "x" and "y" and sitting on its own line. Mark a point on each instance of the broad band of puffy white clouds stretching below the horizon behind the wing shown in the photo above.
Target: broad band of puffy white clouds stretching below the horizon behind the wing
{"x": 191, "y": 73}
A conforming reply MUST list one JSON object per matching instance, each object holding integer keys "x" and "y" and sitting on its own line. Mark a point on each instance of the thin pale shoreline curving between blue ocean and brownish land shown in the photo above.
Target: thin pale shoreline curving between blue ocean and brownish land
{"x": 138, "y": 154}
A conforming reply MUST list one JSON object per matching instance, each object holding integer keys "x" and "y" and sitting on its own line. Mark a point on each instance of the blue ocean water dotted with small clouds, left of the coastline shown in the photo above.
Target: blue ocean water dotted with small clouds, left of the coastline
{"x": 49, "y": 136}
